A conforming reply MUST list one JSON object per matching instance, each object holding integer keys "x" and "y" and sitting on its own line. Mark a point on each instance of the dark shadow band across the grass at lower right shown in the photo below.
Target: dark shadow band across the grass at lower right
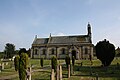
{"x": 94, "y": 71}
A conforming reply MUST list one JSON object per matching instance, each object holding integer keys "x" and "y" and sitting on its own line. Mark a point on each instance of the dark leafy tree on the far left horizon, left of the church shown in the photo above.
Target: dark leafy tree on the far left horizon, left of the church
{"x": 9, "y": 50}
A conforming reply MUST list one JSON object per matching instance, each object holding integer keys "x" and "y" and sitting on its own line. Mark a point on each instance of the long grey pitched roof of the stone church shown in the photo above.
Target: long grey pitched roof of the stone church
{"x": 62, "y": 39}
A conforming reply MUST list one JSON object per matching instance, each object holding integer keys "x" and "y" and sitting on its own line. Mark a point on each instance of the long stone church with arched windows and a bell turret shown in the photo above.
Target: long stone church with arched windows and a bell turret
{"x": 79, "y": 46}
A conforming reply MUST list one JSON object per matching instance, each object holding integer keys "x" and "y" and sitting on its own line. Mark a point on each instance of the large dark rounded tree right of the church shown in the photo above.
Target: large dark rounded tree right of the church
{"x": 105, "y": 52}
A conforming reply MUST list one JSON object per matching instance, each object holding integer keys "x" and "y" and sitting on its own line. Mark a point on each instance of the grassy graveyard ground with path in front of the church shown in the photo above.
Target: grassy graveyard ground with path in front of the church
{"x": 84, "y": 71}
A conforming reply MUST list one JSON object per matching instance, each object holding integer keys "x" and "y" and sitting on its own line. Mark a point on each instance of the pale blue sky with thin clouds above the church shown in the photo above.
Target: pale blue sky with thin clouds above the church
{"x": 21, "y": 20}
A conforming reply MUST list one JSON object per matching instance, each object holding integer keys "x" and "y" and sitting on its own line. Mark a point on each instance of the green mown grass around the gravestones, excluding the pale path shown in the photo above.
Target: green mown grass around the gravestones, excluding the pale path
{"x": 84, "y": 72}
